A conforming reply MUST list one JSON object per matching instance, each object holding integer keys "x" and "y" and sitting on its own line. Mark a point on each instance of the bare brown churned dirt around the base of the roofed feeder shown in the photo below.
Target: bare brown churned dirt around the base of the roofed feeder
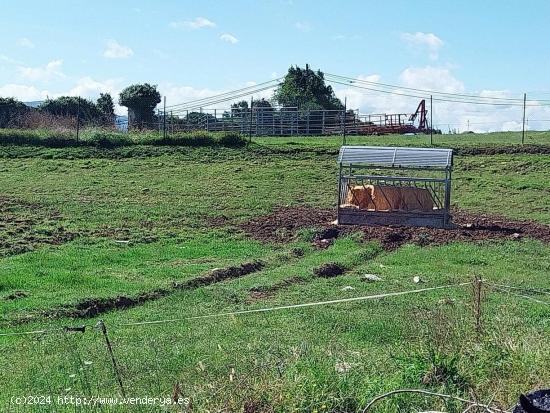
{"x": 468, "y": 227}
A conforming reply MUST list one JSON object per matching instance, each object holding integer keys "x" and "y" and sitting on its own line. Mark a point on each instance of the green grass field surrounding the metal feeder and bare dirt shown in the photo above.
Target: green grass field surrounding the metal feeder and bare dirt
{"x": 88, "y": 223}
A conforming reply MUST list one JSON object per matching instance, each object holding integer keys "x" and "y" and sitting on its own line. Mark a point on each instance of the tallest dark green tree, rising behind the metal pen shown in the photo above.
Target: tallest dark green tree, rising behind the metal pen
{"x": 306, "y": 89}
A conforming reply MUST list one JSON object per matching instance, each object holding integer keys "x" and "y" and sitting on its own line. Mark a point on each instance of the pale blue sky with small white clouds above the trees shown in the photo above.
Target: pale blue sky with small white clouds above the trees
{"x": 195, "y": 49}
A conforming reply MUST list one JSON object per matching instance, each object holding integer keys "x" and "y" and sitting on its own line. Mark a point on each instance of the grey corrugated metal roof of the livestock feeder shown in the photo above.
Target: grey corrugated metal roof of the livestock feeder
{"x": 396, "y": 157}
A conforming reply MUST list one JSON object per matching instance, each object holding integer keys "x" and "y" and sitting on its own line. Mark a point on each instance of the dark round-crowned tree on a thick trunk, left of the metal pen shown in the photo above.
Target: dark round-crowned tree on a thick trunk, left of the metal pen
{"x": 140, "y": 99}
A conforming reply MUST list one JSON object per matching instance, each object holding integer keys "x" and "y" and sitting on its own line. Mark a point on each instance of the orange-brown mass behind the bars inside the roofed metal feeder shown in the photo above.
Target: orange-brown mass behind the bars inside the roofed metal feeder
{"x": 389, "y": 198}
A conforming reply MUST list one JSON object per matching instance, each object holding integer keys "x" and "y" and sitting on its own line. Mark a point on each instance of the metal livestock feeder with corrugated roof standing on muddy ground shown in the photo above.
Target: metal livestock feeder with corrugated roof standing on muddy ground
{"x": 395, "y": 186}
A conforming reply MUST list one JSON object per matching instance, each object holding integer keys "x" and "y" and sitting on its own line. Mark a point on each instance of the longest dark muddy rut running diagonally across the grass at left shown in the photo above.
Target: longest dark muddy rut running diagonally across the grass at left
{"x": 95, "y": 306}
